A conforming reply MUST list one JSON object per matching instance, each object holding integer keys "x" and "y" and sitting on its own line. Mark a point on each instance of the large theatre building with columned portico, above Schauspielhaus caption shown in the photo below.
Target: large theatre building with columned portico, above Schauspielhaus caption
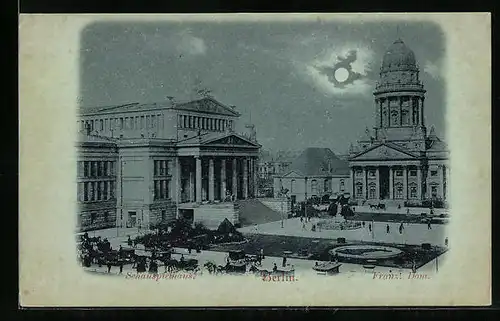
{"x": 171, "y": 160}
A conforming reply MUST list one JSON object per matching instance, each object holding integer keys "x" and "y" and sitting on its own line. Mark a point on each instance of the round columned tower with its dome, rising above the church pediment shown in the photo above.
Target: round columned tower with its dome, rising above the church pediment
{"x": 399, "y": 99}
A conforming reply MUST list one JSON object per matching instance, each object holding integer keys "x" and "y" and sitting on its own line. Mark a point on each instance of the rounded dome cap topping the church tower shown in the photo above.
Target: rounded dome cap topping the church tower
{"x": 399, "y": 57}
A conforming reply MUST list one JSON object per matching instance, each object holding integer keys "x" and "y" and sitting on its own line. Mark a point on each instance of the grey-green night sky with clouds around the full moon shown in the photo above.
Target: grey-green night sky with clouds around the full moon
{"x": 279, "y": 75}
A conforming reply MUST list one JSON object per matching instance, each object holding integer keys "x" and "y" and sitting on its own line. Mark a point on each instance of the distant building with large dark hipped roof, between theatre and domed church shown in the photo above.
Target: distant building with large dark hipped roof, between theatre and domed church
{"x": 316, "y": 172}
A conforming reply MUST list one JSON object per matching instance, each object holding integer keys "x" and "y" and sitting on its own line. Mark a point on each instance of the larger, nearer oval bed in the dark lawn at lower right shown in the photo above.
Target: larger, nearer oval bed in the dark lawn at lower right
{"x": 365, "y": 252}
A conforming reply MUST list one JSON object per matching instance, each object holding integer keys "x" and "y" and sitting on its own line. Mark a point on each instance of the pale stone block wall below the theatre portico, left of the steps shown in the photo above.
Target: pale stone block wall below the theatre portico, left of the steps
{"x": 211, "y": 215}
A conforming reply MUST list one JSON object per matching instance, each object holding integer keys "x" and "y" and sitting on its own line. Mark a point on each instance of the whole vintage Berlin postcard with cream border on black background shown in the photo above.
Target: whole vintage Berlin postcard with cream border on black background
{"x": 255, "y": 160}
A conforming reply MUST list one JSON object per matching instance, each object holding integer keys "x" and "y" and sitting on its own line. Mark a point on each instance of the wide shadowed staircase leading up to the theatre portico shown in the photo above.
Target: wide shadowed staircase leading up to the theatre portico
{"x": 252, "y": 211}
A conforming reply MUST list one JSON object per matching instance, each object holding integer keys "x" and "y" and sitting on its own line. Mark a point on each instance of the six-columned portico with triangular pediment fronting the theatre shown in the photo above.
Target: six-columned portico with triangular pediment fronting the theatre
{"x": 221, "y": 168}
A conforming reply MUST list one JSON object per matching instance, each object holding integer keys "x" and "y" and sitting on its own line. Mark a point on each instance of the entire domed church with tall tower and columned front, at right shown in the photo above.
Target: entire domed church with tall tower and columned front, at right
{"x": 399, "y": 160}
